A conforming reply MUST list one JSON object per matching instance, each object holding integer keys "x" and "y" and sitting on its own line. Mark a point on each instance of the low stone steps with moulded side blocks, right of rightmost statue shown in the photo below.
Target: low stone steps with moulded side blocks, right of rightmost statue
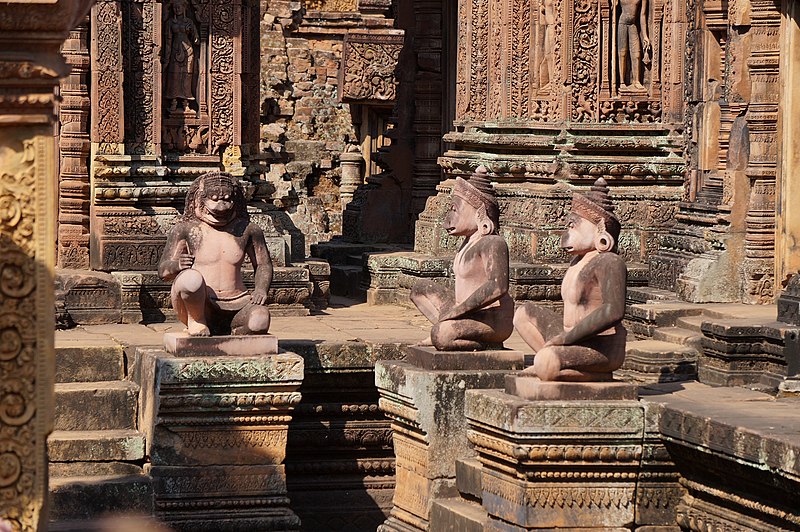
{"x": 722, "y": 344}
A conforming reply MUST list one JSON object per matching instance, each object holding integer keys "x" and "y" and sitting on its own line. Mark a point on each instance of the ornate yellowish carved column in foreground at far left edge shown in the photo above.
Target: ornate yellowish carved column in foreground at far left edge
{"x": 30, "y": 66}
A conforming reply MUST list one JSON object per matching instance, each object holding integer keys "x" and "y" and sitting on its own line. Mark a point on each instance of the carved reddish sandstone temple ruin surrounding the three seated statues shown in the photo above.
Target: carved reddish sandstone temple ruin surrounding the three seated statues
{"x": 348, "y": 124}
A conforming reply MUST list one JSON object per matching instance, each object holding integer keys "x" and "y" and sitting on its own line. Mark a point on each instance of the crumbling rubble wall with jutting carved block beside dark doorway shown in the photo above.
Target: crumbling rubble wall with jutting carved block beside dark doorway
{"x": 313, "y": 104}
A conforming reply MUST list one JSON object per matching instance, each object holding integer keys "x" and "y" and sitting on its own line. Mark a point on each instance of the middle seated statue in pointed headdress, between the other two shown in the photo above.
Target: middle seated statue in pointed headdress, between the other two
{"x": 478, "y": 314}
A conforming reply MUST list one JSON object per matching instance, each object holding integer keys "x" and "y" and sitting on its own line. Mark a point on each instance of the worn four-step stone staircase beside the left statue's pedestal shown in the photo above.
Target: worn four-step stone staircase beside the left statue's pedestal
{"x": 96, "y": 452}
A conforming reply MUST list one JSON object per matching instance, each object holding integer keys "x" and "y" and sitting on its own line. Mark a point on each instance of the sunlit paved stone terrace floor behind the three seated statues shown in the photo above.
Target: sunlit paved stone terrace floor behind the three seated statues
{"x": 344, "y": 321}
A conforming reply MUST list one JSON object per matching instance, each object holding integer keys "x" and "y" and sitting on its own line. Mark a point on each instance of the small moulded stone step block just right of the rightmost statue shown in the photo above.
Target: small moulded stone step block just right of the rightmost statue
{"x": 654, "y": 361}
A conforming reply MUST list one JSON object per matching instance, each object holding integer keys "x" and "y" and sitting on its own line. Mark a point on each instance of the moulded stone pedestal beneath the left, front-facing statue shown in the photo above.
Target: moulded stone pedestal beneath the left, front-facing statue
{"x": 216, "y": 431}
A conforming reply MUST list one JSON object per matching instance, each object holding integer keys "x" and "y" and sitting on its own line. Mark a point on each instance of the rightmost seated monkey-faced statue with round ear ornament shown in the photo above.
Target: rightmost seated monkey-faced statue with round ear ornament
{"x": 588, "y": 343}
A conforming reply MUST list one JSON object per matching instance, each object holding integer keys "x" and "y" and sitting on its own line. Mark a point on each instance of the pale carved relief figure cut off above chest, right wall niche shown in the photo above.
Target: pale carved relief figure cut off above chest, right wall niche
{"x": 632, "y": 44}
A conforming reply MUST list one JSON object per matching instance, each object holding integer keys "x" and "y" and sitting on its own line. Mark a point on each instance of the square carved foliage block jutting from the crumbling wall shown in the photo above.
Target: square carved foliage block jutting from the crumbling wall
{"x": 368, "y": 67}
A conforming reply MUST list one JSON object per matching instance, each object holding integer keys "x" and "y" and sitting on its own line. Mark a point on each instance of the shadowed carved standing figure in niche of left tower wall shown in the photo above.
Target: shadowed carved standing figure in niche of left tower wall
{"x": 180, "y": 38}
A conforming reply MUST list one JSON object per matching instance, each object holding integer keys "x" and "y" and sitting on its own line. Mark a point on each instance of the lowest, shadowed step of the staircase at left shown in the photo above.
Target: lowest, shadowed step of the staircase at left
{"x": 93, "y": 497}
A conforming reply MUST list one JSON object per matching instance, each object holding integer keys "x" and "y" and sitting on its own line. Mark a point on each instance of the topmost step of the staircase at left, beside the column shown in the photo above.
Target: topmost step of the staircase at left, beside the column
{"x": 89, "y": 363}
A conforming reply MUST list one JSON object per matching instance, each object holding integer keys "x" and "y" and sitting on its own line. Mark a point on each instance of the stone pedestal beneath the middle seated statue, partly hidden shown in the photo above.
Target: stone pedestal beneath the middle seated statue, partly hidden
{"x": 429, "y": 428}
